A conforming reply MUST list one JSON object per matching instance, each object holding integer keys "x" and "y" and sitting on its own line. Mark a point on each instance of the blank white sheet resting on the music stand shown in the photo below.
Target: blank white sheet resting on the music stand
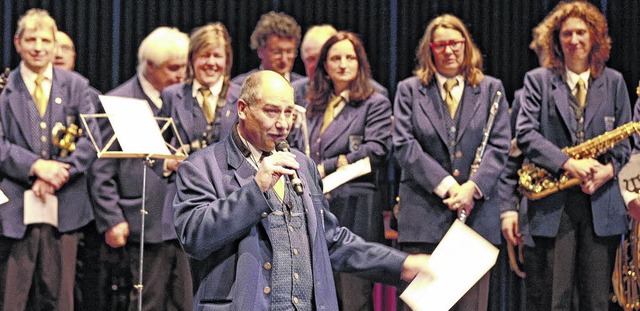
{"x": 134, "y": 125}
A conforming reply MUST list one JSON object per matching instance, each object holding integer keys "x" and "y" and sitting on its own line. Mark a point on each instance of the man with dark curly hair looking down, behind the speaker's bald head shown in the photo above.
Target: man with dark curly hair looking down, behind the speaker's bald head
{"x": 275, "y": 39}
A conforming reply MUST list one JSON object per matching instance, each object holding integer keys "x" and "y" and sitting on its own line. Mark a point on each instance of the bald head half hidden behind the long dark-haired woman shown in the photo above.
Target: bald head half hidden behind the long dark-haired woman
{"x": 311, "y": 45}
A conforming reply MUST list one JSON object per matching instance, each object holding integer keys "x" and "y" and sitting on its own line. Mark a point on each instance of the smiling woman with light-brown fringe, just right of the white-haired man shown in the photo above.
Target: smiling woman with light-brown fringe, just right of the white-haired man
{"x": 209, "y": 68}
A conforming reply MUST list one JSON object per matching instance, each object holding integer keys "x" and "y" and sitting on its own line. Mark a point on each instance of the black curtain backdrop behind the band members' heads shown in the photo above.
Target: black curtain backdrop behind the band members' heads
{"x": 107, "y": 32}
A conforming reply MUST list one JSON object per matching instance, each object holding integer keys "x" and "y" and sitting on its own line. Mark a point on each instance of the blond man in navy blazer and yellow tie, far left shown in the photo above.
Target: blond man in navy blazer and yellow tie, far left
{"x": 41, "y": 260}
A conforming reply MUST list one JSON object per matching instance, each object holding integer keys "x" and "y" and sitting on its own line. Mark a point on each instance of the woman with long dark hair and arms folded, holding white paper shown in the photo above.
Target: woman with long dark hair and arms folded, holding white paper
{"x": 348, "y": 121}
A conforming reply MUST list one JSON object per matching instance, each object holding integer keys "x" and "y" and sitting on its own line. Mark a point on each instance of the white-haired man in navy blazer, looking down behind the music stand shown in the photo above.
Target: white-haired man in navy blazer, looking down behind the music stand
{"x": 118, "y": 185}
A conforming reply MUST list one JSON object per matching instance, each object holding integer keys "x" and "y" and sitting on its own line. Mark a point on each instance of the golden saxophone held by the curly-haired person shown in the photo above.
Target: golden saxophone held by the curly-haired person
{"x": 536, "y": 183}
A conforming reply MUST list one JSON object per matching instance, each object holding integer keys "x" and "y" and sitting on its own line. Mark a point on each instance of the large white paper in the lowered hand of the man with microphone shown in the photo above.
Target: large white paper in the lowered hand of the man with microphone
{"x": 459, "y": 261}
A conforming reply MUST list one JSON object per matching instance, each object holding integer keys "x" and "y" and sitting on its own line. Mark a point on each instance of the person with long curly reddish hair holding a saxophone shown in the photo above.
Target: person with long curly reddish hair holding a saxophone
{"x": 571, "y": 99}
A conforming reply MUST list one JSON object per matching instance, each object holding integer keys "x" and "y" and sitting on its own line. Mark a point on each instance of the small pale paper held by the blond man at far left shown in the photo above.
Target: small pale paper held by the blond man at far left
{"x": 38, "y": 212}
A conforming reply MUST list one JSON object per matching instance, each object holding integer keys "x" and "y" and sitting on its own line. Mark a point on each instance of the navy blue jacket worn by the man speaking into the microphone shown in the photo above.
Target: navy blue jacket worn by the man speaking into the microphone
{"x": 221, "y": 220}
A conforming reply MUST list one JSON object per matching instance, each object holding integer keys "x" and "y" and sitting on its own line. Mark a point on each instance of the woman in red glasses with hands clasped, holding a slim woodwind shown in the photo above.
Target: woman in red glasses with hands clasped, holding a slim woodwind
{"x": 435, "y": 145}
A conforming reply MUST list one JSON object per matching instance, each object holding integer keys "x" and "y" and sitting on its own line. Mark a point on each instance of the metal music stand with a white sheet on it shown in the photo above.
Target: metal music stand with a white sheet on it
{"x": 139, "y": 134}
